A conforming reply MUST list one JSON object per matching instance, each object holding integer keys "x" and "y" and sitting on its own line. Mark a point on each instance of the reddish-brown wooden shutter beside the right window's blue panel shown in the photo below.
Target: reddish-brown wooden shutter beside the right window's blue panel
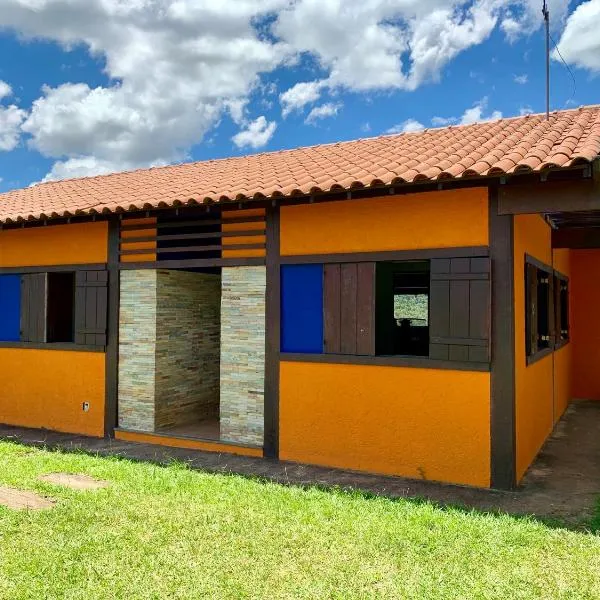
{"x": 349, "y": 308}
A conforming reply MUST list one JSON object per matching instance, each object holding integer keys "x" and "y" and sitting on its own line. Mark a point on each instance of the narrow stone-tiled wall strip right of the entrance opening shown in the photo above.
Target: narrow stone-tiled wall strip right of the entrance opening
{"x": 243, "y": 354}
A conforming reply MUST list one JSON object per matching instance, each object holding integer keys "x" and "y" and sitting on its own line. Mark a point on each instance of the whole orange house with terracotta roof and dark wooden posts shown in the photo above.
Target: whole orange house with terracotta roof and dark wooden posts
{"x": 420, "y": 305}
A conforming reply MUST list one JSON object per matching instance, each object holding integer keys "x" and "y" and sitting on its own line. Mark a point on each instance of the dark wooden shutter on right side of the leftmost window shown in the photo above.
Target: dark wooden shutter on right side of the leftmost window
{"x": 91, "y": 304}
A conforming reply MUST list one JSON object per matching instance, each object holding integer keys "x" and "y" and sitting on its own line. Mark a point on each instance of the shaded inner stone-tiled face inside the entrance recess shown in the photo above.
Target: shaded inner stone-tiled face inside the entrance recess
{"x": 187, "y": 347}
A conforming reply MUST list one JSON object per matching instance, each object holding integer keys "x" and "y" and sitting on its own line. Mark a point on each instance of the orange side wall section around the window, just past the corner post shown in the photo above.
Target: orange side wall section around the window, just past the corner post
{"x": 534, "y": 387}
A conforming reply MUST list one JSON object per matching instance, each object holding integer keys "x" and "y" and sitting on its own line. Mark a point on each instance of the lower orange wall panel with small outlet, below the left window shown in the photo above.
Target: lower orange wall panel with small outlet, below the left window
{"x": 47, "y": 388}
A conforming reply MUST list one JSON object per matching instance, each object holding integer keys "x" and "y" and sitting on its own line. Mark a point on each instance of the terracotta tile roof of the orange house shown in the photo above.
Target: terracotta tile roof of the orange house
{"x": 514, "y": 145}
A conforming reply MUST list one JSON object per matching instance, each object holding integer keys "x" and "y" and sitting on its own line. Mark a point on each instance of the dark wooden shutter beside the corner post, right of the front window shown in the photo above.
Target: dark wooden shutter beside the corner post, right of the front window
{"x": 459, "y": 309}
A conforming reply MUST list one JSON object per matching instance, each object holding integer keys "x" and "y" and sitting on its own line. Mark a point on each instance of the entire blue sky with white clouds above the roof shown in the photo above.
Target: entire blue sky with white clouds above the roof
{"x": 94, "y": 86}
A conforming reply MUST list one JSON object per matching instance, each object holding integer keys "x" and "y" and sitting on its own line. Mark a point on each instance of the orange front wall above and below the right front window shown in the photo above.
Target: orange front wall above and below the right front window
{"x": 421, "y": 423}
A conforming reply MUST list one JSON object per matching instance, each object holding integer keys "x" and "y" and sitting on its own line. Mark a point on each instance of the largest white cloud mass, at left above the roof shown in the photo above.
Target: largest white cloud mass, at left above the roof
{"x": 175, "y": 66}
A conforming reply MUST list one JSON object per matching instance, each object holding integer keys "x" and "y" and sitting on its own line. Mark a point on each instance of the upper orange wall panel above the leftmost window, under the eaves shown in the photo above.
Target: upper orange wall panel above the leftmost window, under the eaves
{"x": 78, "y": 243}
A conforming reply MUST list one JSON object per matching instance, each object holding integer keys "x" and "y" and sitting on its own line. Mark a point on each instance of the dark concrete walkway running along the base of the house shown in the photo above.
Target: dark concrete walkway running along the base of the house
{"x": 563, "y": 483}
